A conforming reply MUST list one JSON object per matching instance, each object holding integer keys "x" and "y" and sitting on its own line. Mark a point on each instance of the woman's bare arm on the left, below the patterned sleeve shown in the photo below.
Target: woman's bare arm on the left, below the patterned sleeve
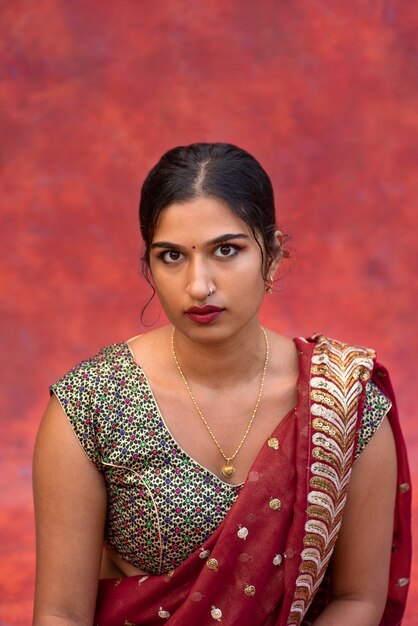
{"x": 70, "y": 509}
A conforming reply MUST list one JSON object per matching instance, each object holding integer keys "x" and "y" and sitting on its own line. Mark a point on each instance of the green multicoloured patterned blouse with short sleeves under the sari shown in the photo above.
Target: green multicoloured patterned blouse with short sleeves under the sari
{"x": 162, "y": 504}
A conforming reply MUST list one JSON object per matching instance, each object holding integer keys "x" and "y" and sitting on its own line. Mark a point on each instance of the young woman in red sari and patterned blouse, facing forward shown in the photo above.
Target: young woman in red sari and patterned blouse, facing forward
{"x": 226, "y": 473}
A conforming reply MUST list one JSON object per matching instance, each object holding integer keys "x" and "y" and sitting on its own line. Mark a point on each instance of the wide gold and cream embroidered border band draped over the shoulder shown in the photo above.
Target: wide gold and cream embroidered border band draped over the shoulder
{"x": 337, "y": 370}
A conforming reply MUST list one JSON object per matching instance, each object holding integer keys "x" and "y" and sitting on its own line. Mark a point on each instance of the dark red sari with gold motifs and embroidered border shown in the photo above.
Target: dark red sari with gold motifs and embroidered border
{"x": 266, "y": 563}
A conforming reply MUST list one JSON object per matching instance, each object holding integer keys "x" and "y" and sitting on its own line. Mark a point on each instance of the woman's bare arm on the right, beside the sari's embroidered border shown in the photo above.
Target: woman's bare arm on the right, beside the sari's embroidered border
{"x": 361, "y": 559}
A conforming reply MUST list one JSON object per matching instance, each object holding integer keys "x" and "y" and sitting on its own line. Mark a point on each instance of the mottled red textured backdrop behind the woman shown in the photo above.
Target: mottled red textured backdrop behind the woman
{"x": 324, "y": 93}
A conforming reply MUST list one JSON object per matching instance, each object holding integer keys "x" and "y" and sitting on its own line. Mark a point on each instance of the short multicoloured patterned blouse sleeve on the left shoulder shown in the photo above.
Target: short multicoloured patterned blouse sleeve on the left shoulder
{"x": 76, "y": 393}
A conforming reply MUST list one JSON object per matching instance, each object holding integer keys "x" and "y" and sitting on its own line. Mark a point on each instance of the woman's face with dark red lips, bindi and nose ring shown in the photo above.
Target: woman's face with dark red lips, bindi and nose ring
{"x": 198, "y": 247}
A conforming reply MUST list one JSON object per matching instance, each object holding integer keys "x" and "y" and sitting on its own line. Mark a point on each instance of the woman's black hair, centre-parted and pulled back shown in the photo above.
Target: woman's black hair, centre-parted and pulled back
{"x": 217, "y": 170}
